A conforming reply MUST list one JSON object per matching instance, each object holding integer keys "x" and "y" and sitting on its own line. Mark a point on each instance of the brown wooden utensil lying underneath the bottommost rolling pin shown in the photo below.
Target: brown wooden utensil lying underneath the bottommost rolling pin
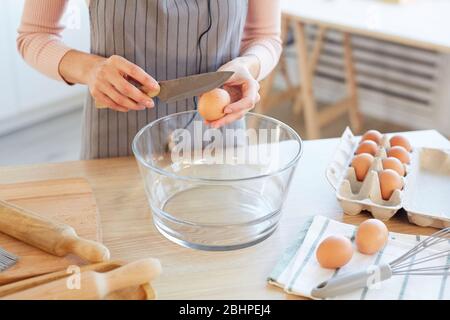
{"x": 141, "y": 292}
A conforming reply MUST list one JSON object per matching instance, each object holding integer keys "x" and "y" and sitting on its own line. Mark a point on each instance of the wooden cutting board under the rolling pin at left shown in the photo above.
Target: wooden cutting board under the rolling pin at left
{"x": 70, "y": 201}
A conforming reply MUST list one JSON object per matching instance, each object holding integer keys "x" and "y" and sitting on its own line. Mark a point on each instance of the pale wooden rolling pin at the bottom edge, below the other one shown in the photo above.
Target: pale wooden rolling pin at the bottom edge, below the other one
{"x": 93, "y": 285}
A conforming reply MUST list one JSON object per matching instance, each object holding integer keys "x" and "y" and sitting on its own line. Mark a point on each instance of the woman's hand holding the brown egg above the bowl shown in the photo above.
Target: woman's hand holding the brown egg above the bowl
{"x": 243, "y": 90}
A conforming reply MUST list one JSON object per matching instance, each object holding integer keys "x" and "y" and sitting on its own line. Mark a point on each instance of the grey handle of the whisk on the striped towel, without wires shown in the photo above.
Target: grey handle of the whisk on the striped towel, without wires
{"x": 352, "y": 281}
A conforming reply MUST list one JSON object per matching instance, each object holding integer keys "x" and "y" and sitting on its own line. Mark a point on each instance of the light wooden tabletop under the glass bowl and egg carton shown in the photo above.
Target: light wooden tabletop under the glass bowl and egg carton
{"x": 189, "y": 274}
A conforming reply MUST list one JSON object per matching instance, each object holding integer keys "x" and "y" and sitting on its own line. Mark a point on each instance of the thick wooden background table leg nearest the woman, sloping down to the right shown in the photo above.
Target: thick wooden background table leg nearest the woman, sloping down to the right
{"x": 306, "y": 78}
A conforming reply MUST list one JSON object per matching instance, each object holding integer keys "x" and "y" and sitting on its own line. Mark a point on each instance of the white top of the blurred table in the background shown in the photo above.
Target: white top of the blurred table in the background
{"x": 420, "y": 23}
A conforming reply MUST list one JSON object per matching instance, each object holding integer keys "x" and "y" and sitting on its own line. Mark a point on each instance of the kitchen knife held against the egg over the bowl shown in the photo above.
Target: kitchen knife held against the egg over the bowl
{"x": 187, "y": 87}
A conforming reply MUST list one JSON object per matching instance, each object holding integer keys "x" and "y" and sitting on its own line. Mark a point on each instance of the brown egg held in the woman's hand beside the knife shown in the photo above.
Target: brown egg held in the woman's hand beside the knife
{"x": 212, "y": 103}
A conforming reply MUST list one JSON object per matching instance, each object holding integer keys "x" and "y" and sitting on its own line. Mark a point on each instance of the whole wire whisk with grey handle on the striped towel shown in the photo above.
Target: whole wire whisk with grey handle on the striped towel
{"x": 406, "y": 264}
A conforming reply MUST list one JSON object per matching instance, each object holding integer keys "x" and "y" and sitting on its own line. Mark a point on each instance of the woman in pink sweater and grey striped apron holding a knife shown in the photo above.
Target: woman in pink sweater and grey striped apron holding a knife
{"x": 150, "y": 41}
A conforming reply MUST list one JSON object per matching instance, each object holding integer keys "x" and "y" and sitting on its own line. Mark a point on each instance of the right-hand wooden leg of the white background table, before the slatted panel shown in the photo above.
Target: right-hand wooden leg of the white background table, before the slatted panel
{"x": 352, "y": 91}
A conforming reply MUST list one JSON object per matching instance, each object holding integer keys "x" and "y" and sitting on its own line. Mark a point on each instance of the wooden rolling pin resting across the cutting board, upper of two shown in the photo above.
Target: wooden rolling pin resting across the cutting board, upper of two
{"x": 50, "y": 236}
